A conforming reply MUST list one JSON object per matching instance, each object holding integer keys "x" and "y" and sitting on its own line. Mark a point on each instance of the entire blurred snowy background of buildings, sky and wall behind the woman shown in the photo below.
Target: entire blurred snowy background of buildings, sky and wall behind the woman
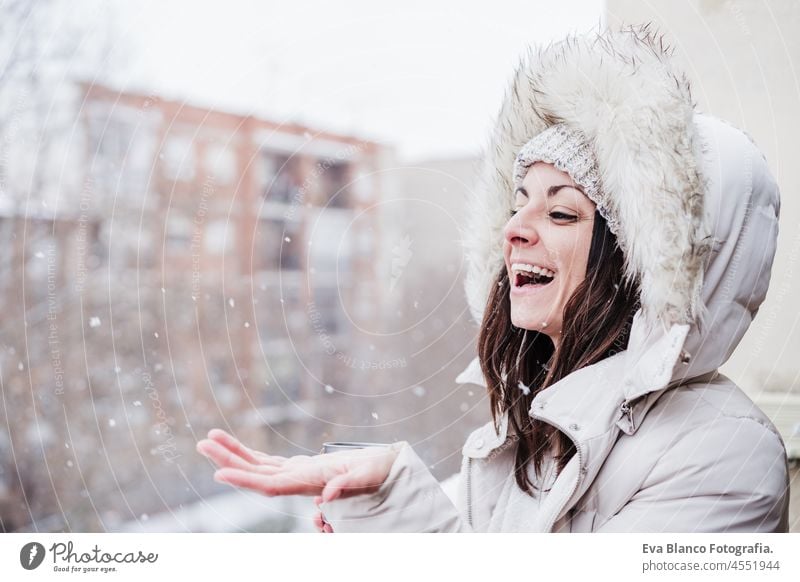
{"x": 246, "y": 215}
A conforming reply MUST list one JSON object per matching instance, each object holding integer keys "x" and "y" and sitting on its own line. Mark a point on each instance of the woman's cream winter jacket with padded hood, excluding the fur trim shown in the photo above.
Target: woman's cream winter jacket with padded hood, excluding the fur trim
{"x": 664, "y": 442}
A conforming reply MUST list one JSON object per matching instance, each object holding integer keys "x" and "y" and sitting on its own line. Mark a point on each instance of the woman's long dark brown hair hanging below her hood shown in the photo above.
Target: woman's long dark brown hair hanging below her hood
{"x": 596, "y": 324}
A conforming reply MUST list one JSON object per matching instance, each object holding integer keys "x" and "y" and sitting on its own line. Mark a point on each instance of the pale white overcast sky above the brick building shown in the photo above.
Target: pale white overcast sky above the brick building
{"x": 427, "y": 77}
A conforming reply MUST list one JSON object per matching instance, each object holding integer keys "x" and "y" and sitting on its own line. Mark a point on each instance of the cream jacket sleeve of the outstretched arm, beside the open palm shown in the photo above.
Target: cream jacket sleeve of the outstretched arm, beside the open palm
{"x": 410, "y": 500}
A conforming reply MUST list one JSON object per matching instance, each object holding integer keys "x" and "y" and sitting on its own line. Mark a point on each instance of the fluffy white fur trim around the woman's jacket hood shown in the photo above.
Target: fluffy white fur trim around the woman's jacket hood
{"x": 620, "y": 89}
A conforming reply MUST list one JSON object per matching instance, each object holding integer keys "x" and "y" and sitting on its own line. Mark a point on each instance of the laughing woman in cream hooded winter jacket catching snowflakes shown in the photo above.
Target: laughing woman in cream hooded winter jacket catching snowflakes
{"x": 618, "y": 252}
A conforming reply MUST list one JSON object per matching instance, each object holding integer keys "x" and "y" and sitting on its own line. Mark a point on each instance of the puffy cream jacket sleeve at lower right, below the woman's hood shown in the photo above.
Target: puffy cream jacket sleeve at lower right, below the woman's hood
{"x": 730, "y": 475}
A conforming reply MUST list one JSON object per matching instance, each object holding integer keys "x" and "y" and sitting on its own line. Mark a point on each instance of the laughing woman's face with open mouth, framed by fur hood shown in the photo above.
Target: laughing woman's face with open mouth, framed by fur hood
{"x": 546, "y": 247}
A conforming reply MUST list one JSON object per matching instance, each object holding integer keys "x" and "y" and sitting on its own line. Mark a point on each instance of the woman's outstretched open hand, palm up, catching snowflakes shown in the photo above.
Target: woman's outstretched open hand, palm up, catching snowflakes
{"x": 330, "y": 476}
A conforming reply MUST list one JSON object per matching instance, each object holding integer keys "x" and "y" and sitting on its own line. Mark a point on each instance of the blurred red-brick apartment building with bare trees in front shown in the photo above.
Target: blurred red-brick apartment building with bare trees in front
{"x": 208, "y": 271}
